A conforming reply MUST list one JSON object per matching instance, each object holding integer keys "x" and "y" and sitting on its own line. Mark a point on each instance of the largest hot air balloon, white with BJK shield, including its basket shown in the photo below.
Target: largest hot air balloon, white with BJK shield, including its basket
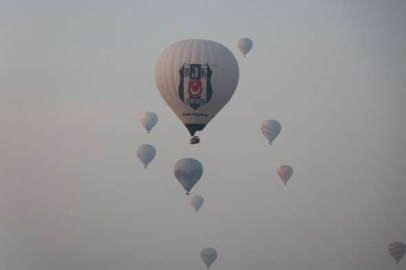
{"x": 196, "y": 78}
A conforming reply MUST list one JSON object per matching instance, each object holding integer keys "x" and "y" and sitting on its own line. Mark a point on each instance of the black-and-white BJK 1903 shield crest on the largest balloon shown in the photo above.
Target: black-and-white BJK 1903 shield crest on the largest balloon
{"x": 195, "y": 85}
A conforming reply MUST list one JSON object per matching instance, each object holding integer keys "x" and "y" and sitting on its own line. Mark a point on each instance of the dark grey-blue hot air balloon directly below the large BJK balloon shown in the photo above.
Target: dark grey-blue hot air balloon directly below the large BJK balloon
{"x": 188, "y": 171}
